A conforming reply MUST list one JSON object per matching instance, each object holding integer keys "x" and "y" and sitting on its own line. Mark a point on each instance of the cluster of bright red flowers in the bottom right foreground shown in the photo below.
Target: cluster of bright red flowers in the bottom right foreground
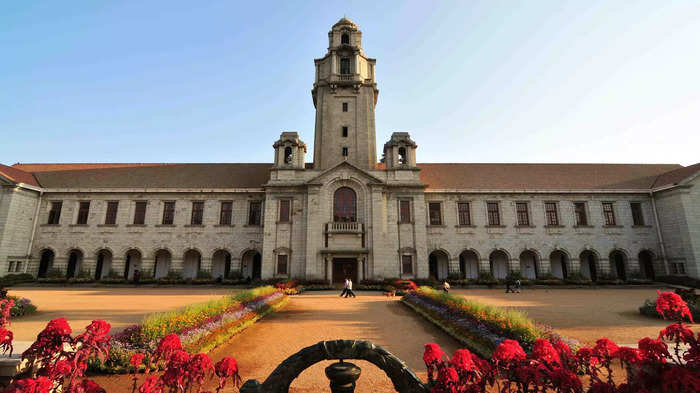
{"x": 555, "y": 367}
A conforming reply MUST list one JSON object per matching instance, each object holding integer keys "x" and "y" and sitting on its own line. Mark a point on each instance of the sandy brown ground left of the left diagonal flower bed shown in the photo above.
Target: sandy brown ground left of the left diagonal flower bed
{"x": 120, "y": 307}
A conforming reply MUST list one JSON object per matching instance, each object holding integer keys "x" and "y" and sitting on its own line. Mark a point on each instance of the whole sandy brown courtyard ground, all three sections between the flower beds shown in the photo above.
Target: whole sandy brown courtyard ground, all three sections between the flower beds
{"x": 581, "y": 314}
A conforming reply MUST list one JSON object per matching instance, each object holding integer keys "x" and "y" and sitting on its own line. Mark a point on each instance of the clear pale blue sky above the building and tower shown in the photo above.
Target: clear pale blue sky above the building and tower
{"x": 217, "y": 81}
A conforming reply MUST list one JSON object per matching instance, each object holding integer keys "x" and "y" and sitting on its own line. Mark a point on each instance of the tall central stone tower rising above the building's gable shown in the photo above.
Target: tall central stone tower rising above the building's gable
{"x": 345, "y": 95}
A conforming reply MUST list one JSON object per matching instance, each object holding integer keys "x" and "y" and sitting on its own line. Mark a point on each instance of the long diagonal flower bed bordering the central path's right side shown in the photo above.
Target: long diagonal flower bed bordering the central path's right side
{"x": 480, "y": 327}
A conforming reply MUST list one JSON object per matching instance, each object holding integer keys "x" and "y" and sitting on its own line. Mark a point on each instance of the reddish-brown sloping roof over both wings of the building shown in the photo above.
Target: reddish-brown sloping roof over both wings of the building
{"x": 531, "y": 177}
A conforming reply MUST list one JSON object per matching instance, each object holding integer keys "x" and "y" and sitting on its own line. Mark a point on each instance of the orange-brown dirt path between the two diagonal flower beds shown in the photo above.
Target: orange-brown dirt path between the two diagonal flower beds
{"x": 318, "y": 316}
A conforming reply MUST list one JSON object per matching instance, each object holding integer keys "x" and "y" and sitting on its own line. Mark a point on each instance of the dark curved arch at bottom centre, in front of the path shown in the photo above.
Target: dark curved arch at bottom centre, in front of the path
{"x": 279, "y": 381}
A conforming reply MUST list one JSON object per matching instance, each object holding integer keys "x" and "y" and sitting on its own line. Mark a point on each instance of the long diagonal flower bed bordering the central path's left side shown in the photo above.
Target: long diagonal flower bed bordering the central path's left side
{"x": 199, "y": 327}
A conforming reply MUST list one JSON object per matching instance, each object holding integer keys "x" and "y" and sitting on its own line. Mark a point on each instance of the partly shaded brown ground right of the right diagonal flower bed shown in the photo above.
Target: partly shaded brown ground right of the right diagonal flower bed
{"x": 582, "y": 314}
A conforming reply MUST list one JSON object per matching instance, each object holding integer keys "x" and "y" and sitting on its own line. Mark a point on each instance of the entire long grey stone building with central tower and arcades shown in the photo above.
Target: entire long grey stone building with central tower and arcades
{"x": 344, "y": 213}
